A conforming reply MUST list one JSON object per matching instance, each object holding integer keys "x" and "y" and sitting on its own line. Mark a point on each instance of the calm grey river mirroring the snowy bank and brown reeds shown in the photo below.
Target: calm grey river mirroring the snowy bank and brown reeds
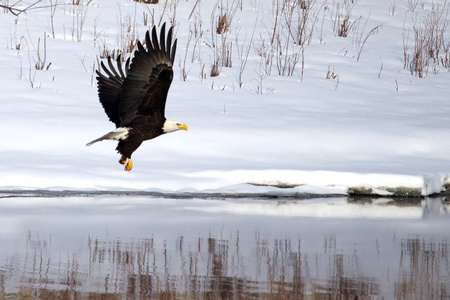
{"x": 139, "y": 246}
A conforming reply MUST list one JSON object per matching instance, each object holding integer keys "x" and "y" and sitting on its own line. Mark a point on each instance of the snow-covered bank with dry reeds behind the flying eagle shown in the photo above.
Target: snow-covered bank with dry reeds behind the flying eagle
{"x": 371, "y": 124}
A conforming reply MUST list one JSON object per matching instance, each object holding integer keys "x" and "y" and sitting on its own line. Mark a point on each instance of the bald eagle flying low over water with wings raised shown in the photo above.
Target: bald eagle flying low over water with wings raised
{"x": 134, "y": 98}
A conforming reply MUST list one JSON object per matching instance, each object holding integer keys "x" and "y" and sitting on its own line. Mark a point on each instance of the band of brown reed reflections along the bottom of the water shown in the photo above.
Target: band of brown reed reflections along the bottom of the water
{"x": 223, "y": 268}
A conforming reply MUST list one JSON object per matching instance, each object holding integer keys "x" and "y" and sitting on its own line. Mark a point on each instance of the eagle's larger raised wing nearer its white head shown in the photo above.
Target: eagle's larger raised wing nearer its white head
{"x": 145, "y": 88}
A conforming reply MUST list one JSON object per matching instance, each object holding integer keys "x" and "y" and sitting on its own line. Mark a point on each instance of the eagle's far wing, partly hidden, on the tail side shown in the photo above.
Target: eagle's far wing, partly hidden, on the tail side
{"x": 110, "y": 88}
